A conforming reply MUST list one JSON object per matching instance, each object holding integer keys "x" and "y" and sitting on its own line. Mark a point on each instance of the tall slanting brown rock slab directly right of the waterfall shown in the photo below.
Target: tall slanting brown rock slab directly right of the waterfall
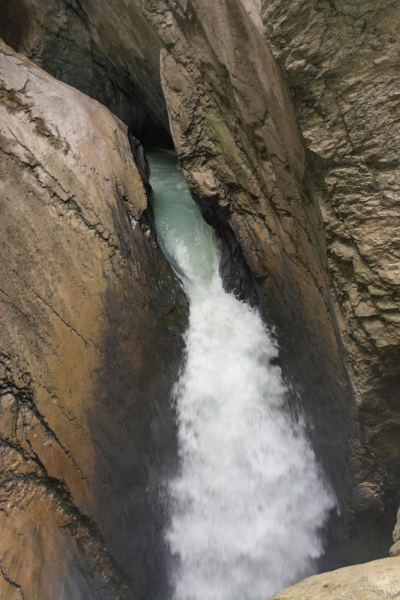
{"x": 235, "y": 129}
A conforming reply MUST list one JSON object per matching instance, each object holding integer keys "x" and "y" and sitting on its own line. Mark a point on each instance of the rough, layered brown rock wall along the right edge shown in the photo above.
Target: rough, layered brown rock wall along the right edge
{"x": 341, "y": 61}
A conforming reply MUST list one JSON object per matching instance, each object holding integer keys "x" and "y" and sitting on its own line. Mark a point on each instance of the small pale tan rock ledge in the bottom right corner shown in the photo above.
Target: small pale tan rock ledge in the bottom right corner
{"x": 372, "y": 581}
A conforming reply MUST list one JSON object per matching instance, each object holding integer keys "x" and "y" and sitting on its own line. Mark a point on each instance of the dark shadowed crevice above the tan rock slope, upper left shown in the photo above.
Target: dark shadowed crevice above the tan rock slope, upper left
{"x": 78, "y": 61}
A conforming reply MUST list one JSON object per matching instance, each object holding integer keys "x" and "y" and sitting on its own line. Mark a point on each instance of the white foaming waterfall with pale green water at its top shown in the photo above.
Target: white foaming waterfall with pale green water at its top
{"x": 249, "y": 500}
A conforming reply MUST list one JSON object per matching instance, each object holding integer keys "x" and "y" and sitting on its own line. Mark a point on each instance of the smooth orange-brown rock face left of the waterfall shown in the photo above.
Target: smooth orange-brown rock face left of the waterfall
{"x": 90, "y": 325}
